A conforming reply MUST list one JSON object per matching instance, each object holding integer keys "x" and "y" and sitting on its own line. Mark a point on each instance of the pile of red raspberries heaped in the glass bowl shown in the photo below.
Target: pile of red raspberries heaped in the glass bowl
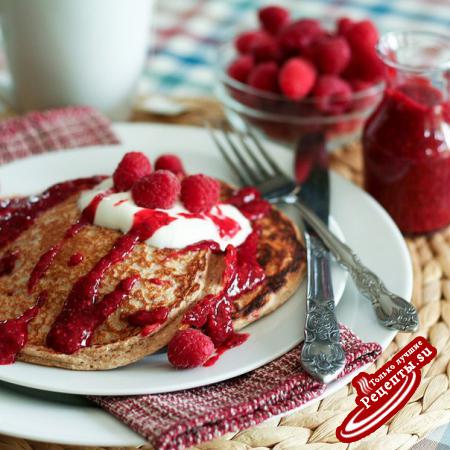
{"x": 300, "y": 59}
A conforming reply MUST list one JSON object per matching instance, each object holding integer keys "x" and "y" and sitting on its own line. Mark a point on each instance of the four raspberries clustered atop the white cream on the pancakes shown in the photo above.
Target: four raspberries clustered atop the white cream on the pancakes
{"x": 160, "y": 189}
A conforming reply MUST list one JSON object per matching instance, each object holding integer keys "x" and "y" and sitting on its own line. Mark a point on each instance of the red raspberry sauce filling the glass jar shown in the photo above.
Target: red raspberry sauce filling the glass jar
{"x": 407, "y": 157}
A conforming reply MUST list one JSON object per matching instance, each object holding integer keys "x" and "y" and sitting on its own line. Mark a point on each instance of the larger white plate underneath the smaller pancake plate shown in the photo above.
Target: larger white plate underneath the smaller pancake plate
{"x": 69, "y": 419}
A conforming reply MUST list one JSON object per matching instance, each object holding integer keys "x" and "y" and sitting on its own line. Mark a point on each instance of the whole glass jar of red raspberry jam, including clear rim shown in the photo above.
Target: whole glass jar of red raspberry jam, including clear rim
{"x": 406, "y": 140}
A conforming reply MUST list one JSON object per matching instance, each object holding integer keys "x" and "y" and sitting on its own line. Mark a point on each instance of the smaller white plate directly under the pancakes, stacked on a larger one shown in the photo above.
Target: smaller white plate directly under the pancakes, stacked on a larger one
{"x": 269, "y": 338}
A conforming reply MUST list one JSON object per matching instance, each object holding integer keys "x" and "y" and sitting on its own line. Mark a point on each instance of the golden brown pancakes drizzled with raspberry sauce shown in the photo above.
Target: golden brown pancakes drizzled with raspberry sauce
{"x": 166, "y": 278}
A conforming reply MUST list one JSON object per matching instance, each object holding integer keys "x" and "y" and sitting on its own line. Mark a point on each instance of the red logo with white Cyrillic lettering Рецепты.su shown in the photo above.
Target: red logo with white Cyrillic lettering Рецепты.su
{"x": 384, "y": 393}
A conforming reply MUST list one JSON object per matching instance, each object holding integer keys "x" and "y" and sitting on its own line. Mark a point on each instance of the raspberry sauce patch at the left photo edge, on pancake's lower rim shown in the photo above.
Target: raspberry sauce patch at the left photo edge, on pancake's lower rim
{"x": 14, "y": 332}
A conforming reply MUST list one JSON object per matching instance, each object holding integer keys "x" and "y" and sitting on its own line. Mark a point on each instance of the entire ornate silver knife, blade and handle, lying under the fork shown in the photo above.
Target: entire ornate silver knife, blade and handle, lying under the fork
{"x": 322, "y": 355}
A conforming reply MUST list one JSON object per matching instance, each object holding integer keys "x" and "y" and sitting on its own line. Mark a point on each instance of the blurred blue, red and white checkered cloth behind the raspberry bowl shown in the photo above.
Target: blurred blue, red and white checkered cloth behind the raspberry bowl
{"x": 188, "y": 32}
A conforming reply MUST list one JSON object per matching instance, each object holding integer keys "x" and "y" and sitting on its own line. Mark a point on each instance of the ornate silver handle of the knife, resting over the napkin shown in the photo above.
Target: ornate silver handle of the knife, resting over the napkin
{"x": 322, "y": 354}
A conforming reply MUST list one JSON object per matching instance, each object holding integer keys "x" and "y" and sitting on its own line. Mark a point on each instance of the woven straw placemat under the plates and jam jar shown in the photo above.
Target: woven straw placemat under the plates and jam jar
{"x": 314, "y": 428}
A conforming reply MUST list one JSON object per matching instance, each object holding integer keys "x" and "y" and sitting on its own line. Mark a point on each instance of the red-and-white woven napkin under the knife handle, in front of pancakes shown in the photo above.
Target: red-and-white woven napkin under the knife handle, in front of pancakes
{"x": 179, "y": 420}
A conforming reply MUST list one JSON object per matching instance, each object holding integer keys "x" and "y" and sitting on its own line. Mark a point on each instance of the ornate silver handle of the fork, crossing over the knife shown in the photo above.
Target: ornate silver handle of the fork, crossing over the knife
{"x": 392, "y": 310}
